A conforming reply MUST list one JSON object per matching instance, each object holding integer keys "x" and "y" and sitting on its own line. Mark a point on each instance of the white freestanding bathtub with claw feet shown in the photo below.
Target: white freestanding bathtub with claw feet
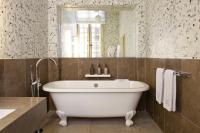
{"x": 96, "y": 98}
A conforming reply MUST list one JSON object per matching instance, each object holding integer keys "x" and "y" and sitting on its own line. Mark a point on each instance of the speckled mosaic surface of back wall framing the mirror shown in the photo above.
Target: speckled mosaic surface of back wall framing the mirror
{"x": 53, "y": 46}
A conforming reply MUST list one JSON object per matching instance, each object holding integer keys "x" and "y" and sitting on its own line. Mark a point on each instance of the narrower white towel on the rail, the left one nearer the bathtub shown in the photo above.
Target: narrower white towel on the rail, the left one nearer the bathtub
{"x": 159, "y": 84}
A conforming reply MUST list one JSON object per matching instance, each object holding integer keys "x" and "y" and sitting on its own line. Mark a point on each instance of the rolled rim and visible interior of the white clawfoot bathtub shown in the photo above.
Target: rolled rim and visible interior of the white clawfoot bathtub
{"x": 118, "y": 85}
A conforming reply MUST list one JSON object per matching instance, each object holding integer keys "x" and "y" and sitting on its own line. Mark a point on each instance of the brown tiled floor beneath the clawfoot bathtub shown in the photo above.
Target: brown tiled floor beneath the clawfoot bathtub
{"x": 143, "y": 124}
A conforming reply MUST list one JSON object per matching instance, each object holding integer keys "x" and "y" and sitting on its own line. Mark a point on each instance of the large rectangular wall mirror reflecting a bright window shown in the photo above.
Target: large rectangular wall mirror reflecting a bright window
{"x": 97, "y": 32}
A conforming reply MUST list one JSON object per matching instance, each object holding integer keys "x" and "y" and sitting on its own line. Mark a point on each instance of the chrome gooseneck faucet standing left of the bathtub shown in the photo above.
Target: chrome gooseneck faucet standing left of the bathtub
{"x": 37, "y": 82}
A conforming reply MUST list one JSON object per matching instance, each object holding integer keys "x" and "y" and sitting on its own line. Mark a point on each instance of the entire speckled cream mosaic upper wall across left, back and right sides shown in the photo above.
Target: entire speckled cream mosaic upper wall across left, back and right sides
{"x": 166, "y": 28}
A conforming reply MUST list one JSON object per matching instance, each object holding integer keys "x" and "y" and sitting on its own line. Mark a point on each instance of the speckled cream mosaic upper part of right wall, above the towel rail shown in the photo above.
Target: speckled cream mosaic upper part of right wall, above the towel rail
{"x": 173, "y": 28}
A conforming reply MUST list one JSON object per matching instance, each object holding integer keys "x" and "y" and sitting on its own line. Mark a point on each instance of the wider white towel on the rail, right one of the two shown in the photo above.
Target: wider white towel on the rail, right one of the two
{"x": 169, "y": 99}
